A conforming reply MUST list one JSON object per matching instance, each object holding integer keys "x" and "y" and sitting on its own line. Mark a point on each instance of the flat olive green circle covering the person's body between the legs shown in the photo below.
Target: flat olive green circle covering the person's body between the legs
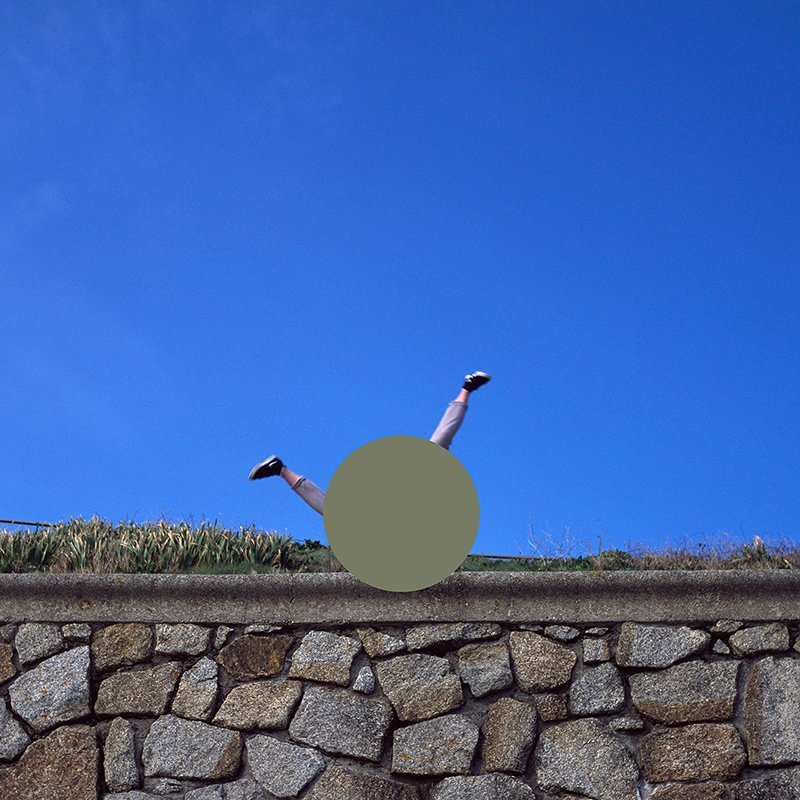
{"x": 401, "y": 513}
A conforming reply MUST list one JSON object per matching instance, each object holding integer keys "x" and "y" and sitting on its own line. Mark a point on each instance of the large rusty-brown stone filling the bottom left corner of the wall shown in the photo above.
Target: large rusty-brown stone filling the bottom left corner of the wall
{"x": 61, "y": 766}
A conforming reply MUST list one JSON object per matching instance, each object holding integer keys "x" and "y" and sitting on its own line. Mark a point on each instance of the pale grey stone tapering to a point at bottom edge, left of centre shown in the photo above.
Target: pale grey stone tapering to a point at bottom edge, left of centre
{"x": 283, "y": 769}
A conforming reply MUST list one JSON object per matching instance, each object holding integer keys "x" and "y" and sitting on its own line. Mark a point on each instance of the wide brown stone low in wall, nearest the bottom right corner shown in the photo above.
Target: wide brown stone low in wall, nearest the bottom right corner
{"x": 699, "y": 752}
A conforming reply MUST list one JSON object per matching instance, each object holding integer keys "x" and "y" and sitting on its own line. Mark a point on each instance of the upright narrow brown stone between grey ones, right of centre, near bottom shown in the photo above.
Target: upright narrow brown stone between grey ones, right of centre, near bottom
{"x": 508, "y": 733}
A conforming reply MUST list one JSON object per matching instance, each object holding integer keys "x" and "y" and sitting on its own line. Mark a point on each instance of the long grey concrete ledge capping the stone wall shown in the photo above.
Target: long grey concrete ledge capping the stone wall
{"x": 333, "y": 598}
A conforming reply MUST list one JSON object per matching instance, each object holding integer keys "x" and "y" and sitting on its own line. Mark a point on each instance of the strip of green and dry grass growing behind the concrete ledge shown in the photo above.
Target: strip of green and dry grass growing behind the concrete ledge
{"x": 94, "y": 545}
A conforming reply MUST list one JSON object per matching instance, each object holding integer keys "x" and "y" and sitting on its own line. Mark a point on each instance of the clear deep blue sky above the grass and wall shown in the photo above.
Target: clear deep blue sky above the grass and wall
{"x": 232, "y": 229}
